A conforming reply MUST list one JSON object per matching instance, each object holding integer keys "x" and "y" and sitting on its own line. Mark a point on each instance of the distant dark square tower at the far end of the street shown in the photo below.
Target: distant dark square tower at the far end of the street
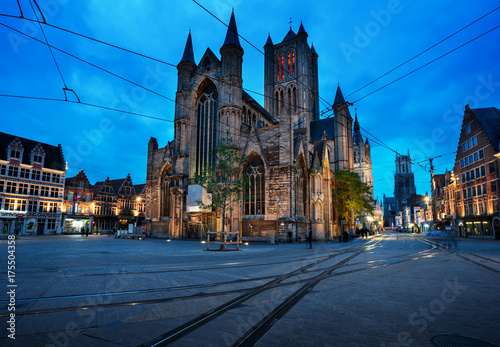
{"x": 404, "y": 181}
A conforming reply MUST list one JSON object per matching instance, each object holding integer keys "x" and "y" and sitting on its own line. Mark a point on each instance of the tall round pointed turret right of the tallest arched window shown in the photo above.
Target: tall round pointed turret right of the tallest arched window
{"x": 230, "y": 113}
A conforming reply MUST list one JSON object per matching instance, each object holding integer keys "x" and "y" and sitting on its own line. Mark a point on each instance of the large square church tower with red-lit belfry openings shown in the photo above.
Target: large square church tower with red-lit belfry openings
{"x": 291, "y": 78}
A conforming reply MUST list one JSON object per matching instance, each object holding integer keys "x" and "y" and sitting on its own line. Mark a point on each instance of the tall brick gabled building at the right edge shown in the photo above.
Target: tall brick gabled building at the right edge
{"x": 477, "y": 173}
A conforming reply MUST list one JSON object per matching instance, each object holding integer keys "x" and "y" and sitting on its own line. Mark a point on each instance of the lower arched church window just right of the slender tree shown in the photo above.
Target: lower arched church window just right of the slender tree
{"x": 255, "y": 196}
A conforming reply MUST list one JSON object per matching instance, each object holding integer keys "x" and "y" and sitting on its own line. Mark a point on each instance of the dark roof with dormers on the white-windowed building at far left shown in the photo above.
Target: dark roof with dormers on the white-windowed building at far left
{"x": 54, "y": 158}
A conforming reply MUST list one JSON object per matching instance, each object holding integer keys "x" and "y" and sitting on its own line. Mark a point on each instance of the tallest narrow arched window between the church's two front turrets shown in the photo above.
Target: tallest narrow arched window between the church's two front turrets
{"x": 206, "y": 125}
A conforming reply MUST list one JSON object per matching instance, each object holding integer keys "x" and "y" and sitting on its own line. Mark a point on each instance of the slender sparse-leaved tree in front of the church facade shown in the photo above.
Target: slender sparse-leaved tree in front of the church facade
{"x": 223, "y": 180}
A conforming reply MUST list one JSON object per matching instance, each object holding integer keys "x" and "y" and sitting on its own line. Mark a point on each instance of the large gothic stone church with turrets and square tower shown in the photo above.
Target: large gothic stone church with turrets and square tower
{"x": 290, "y": 152}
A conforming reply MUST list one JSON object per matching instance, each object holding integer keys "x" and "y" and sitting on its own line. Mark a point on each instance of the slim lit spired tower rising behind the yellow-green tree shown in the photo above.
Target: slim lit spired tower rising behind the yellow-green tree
{"x": 362, "y": 155}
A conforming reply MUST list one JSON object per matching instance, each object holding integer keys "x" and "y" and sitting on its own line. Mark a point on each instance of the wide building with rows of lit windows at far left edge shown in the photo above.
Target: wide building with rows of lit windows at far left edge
{"x": 32, "y": 178}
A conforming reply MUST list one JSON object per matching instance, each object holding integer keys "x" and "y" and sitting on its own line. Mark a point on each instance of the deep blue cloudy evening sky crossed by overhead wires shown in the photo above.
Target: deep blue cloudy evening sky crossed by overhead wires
{"x": 357, "y": 41}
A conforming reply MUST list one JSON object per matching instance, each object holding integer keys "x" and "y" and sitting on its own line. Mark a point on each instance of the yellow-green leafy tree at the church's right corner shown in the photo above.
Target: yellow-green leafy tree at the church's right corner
{"x": 350, "y": 195}
